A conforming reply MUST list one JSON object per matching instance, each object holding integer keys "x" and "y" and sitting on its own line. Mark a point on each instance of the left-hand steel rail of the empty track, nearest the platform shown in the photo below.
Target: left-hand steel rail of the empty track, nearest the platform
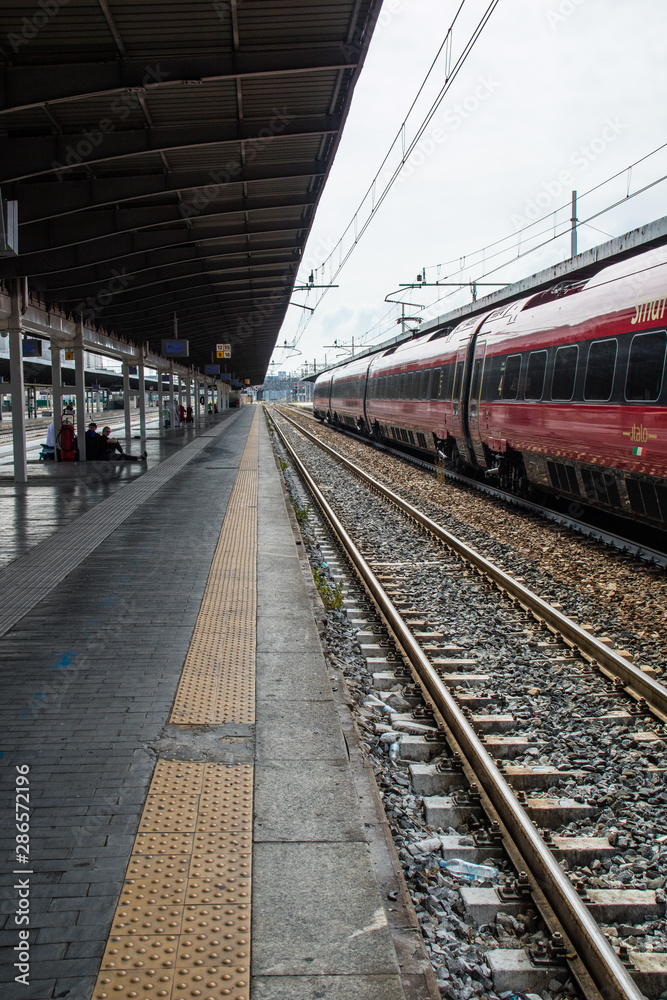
{"x": 602, "y": 963}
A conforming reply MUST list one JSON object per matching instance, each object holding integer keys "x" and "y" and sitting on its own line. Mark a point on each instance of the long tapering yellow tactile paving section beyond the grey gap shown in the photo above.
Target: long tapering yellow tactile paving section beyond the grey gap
{"x": 218, "y": 680}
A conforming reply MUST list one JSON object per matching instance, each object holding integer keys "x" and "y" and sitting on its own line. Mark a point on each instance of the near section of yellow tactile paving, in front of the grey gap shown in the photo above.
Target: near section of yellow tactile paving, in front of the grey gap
{"x": 181, "y": 930}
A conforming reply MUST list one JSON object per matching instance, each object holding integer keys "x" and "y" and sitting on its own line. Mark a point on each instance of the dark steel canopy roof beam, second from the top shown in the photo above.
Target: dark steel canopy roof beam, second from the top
{"x": 33, "y": 156}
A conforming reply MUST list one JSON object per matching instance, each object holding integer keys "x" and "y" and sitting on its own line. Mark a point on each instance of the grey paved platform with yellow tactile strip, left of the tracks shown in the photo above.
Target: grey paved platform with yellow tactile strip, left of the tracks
{"x": 186, "y": 812}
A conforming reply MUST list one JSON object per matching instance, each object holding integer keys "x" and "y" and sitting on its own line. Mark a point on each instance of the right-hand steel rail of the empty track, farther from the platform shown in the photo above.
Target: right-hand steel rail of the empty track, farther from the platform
{"x": 642, "y": 684}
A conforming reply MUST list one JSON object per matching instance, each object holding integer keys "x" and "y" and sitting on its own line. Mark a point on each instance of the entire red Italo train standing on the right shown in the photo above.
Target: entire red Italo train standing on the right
{"x": 564, "y": 389}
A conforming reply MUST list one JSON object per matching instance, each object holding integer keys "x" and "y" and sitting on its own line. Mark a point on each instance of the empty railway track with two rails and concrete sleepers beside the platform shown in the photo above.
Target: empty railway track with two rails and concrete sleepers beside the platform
{"x": 464, "y": 719}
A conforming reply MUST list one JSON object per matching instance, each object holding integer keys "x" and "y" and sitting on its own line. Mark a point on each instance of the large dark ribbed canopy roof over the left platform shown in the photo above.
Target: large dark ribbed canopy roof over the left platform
{"x": 167, "y": 157}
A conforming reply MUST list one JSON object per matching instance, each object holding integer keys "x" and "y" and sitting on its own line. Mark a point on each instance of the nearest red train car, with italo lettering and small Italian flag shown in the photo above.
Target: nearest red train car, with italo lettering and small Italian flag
{"x": 568, "y": 389}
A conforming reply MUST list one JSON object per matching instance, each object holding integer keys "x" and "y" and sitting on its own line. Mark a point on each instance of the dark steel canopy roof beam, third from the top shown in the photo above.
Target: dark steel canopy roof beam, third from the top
{"x": 51, "y": 199}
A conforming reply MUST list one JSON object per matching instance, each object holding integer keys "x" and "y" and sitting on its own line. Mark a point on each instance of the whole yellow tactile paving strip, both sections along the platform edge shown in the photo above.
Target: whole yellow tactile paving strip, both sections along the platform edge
{"x": 181, "y": 930}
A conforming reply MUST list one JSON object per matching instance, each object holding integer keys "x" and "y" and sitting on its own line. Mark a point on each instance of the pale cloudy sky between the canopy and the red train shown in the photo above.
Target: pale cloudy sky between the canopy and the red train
{"x": 555, "y": 95}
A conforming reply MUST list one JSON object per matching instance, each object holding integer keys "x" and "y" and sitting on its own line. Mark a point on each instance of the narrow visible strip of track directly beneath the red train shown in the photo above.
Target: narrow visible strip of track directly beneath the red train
{"x": 637, "y": 545}
